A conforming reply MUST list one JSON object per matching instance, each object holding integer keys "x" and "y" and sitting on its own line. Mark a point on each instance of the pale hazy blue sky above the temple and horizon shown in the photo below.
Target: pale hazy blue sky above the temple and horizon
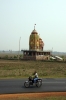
{"x": 17, "y": 19}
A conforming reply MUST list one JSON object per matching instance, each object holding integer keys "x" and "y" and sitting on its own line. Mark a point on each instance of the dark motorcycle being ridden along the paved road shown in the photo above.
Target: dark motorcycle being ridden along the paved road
{"x": 30, "y": 82}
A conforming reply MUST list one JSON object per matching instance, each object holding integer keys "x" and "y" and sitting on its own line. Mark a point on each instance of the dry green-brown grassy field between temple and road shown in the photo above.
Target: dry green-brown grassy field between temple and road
{"x": 22, "y": 69}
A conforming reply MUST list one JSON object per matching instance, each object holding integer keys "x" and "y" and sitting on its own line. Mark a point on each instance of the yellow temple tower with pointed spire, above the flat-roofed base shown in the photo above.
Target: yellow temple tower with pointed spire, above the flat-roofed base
{"x": 35, "y": 42}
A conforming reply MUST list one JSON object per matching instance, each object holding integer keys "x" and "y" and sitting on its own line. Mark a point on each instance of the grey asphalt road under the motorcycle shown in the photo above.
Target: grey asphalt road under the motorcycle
{"x": 17, "y": 86}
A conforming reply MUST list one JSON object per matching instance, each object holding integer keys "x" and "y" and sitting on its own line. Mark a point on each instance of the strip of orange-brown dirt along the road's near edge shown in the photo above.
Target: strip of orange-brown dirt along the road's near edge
{"x": 30, "y": 95}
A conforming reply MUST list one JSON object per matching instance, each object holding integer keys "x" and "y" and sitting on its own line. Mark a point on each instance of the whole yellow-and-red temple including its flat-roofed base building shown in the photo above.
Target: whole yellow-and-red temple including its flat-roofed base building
{"x": 36, "y": 46}
